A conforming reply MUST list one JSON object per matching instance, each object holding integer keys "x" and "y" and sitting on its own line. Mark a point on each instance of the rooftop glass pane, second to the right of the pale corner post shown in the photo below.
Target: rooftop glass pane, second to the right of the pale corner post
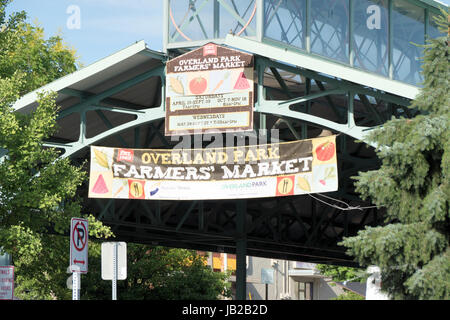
{"x": 329, "y": 28}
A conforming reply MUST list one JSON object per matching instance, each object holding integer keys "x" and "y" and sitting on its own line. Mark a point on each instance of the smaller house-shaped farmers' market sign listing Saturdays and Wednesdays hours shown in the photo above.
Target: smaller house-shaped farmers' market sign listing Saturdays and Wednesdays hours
{"x": 209, "y": 89}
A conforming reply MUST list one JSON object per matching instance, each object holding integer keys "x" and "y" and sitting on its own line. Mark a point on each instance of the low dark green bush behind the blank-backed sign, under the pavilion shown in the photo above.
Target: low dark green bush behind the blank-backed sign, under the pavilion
{"x": 158, "y": 273}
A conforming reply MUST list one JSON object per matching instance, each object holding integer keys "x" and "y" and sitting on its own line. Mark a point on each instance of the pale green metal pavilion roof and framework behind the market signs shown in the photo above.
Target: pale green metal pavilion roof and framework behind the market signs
{"x": 120, "y": 101}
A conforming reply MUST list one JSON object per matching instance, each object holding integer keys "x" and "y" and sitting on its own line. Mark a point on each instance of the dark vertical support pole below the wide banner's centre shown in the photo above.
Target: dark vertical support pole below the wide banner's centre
{"x": 241, "y": 249}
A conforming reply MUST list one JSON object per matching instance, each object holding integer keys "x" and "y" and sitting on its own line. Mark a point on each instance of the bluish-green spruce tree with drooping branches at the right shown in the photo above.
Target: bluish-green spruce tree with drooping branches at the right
{"x": 412, "y": 249}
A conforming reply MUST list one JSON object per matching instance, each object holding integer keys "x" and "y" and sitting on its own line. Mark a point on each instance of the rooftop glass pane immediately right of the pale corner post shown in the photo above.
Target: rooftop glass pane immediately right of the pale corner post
{"x": 284, "y": 20}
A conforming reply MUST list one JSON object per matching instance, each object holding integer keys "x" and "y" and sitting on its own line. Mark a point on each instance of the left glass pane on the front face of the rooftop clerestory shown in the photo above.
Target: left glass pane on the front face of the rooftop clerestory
{"x": 191, "y": 20}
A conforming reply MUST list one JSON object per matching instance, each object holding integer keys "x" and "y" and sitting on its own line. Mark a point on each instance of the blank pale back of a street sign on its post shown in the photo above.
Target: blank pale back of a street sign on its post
{"x": 114, "y": 263}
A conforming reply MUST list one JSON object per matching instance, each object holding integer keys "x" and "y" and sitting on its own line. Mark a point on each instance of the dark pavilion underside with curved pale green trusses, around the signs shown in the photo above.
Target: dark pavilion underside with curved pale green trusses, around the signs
{"x": 299, "y": 103}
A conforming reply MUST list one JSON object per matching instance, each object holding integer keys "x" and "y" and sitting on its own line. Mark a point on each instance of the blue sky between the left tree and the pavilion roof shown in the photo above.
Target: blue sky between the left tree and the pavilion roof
{"x": 106, "y": 25}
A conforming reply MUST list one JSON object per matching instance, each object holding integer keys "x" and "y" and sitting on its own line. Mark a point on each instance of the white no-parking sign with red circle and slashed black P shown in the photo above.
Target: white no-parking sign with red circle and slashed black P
{"x": 79, "y": 245}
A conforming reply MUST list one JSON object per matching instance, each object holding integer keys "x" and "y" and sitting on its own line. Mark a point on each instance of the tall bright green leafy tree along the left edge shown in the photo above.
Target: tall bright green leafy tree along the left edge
{"x": 37, "y": 189}
